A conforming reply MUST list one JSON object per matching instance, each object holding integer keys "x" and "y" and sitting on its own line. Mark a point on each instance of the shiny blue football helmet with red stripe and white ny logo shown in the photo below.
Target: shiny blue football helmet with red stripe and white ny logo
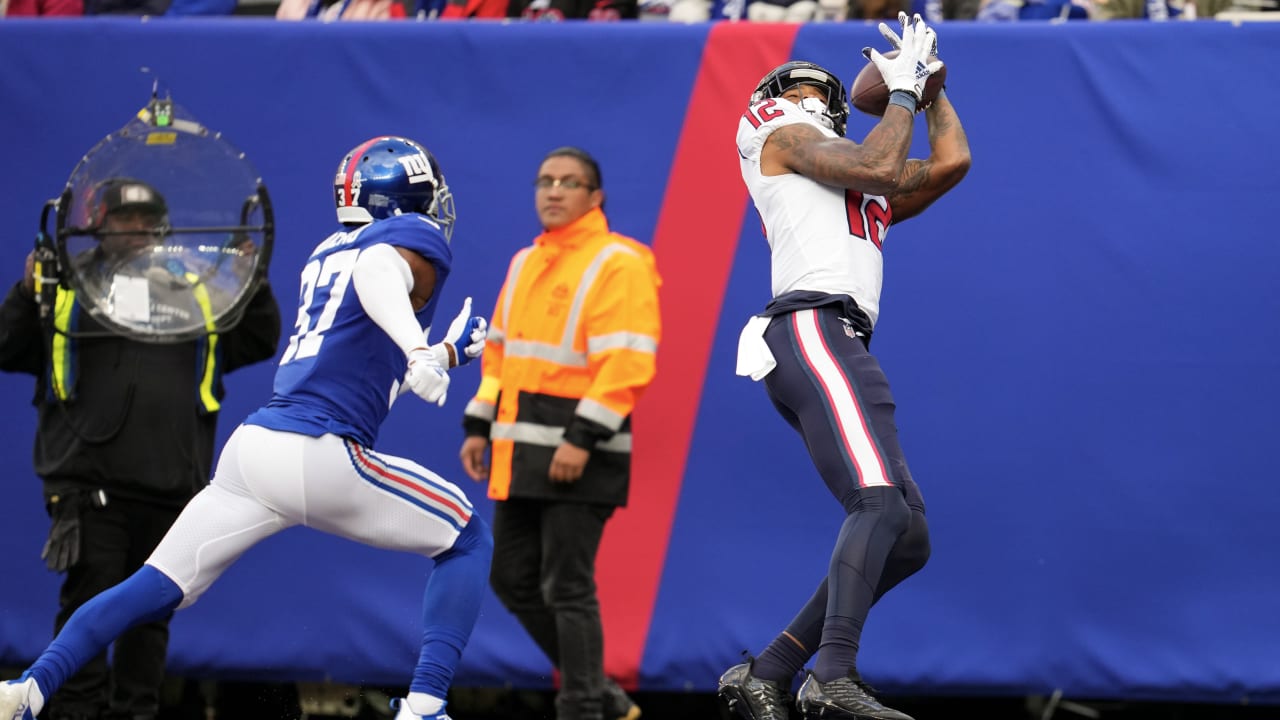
{"x": 391, "y": 176}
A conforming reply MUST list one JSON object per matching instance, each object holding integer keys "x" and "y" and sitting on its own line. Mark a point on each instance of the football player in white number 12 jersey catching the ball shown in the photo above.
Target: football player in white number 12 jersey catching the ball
{"x": 828, "y": 204}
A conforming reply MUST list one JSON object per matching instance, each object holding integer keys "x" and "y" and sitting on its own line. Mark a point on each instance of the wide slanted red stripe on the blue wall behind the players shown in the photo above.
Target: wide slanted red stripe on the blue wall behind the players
{"x": 696, "y": 240}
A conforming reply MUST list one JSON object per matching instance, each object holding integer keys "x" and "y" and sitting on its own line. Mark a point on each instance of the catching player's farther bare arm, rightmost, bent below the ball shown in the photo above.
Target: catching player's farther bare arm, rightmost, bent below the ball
{"x": 925, "y": 181}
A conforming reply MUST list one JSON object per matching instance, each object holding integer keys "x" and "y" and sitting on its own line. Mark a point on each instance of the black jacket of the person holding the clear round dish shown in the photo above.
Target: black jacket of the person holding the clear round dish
{"x": 135, "y": 427}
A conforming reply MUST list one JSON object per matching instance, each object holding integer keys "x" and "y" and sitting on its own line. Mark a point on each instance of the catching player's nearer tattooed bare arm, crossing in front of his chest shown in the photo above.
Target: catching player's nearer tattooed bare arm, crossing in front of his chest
{"x": 874, "y": 167}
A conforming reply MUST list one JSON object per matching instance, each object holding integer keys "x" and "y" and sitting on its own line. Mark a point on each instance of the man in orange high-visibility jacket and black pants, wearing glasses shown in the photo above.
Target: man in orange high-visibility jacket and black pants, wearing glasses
{"x": 570, "y": 350}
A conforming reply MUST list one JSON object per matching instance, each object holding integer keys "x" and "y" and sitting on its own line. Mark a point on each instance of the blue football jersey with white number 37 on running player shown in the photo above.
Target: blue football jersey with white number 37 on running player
{"x": 341, "y": 372}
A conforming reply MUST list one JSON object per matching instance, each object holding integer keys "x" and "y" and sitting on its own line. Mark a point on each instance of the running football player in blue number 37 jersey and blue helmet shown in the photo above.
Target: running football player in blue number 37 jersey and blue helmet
{"x": 305, "y": 458}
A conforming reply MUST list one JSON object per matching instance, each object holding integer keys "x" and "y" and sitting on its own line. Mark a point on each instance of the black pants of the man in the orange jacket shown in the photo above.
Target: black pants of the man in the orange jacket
{"x": 545, "y": 575}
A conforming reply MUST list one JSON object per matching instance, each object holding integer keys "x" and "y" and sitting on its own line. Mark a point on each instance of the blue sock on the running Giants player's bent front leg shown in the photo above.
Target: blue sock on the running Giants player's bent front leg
{"x": 451, "y": 607}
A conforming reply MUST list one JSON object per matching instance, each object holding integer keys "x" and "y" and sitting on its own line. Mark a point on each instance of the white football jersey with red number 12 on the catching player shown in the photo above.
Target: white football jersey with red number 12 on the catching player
{"x": 822, "y": 239}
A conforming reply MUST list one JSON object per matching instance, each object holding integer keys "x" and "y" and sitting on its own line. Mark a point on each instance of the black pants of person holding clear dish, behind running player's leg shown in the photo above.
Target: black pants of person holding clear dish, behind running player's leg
{"x": 117, "y": 540}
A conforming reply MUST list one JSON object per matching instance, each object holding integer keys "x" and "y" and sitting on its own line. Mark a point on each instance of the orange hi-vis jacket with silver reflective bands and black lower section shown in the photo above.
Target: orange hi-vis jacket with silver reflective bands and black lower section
{"x": 572, "y": 348}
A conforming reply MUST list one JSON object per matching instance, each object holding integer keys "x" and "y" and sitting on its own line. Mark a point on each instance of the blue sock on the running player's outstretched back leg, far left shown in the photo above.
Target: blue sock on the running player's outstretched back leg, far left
{"x": 145, "y": 596}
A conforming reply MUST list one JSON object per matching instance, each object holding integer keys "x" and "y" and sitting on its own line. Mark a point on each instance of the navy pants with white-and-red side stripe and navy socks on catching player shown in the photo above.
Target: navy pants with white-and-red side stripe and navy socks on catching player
{"x": 833, "y": 391}
